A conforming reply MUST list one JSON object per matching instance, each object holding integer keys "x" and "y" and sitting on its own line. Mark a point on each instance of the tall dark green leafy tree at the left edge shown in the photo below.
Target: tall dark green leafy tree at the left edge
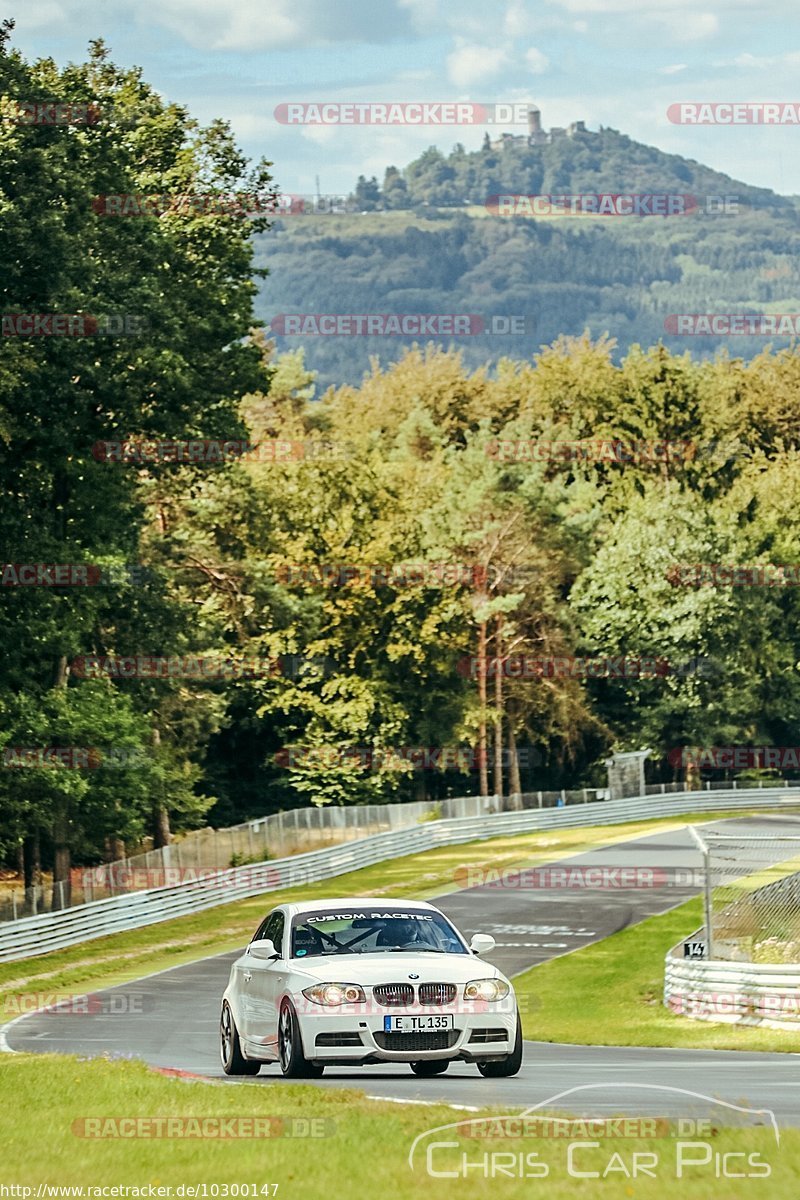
{"x": 187, "y": 280}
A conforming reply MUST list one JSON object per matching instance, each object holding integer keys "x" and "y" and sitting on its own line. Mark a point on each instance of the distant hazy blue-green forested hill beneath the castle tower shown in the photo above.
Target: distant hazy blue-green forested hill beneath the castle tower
{"x": 425, "y": 243}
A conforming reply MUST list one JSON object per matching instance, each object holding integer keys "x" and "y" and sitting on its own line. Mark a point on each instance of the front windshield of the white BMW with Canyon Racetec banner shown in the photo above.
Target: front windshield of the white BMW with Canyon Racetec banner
{"x": 372, "y": 932}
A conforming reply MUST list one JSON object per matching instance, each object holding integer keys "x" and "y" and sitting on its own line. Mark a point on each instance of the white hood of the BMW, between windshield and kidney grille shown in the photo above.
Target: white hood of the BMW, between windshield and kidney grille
{"x": 388, "y": 968}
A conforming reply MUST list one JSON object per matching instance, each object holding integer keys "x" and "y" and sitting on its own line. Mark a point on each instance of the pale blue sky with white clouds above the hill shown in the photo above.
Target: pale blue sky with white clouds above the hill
{"x": 613, "y": 63}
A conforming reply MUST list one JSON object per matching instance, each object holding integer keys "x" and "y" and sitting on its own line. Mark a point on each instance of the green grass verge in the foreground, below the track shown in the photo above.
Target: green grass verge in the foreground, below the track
{"x": 364, "y": 1156}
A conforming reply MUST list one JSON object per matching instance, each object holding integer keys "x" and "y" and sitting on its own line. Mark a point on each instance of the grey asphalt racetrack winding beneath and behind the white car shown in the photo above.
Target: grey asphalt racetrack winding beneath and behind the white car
{"x": 171, "y": 1019}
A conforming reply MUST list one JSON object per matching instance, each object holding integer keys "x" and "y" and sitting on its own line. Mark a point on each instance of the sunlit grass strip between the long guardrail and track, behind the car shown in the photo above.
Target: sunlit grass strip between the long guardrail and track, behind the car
{"x": 122, "y": 958}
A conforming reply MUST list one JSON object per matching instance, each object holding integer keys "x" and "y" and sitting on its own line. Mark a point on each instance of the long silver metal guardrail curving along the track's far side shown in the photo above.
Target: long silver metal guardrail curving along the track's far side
{"x": 51, "y": 932}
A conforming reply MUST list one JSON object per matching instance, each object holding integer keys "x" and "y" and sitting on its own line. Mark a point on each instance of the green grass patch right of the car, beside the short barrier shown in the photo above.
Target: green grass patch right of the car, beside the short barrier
{"x": 611, "y": 994}
